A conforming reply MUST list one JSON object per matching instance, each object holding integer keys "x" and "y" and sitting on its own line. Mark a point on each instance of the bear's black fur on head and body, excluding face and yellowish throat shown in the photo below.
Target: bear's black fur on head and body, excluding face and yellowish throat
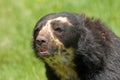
{"x": 96, "y": 48}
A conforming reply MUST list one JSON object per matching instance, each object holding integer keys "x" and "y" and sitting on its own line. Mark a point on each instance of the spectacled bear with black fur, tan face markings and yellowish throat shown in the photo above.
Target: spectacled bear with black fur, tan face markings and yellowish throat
{"x": 76, "y": 47}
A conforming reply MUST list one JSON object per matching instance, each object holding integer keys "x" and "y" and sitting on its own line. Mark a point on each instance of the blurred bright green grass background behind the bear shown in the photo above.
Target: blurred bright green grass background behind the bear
{"x": 17, "y": 19}
